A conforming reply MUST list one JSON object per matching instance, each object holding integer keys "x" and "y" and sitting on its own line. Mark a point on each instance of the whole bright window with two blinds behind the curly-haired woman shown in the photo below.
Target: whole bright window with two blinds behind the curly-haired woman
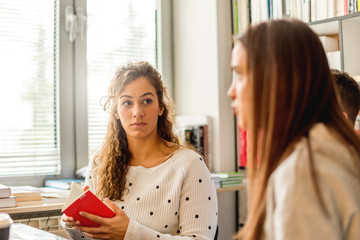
{"x": 51, "y": 87}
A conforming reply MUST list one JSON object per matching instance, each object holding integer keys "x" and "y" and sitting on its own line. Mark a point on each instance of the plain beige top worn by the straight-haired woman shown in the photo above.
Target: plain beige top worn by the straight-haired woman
{"x": 293, "y": 209}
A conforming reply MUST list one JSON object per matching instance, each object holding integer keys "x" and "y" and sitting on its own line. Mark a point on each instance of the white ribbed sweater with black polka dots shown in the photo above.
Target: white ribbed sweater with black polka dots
{"x": 174, "y": 200}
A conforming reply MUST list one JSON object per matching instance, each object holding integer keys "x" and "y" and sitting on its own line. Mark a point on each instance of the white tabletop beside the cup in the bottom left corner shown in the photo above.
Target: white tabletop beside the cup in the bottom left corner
{"x": 19, "y": 231}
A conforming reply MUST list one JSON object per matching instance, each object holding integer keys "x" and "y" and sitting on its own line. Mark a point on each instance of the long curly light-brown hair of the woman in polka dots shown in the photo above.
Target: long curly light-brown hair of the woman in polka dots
{"x": 112, "y": 164}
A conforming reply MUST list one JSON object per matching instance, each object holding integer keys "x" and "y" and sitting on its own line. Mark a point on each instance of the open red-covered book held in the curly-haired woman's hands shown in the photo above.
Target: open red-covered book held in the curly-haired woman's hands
{"x": 85, "y": 201}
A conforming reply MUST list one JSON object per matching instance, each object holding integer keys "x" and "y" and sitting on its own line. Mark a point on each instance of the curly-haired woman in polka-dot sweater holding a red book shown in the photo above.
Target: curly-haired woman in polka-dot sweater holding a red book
{"x": 157, "y": 188}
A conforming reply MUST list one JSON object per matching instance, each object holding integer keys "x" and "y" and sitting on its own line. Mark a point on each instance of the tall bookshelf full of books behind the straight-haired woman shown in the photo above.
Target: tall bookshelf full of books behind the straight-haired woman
{"x": 330, "y": 19}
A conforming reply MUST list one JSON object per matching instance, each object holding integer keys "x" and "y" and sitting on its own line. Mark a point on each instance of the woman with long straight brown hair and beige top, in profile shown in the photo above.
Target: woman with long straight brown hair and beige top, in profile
{"x": 304, "y": 156}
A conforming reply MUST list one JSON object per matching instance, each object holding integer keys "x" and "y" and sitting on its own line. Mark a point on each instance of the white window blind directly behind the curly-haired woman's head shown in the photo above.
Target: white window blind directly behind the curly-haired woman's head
{"x": 118, "y": 32}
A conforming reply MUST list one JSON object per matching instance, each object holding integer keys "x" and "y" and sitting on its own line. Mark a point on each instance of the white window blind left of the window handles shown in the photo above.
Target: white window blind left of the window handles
{"x": 29, "y": 127}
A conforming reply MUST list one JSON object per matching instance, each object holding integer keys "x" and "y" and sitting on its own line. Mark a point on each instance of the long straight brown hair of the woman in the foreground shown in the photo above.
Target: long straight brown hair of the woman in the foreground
{"x": 290, "y": 88}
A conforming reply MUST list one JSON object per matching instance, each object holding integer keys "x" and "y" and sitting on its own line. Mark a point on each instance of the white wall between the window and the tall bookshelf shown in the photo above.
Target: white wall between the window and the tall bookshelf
{"x": 202, "y": 49}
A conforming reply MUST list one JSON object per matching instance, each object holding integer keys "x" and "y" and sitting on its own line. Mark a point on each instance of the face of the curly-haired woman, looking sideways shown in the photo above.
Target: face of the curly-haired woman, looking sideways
{"x": 138, "y": 109}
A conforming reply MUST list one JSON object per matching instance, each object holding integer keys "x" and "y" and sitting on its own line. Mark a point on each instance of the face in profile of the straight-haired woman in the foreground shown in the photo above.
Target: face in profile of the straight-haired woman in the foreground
{"x": 238, "y": 89}
